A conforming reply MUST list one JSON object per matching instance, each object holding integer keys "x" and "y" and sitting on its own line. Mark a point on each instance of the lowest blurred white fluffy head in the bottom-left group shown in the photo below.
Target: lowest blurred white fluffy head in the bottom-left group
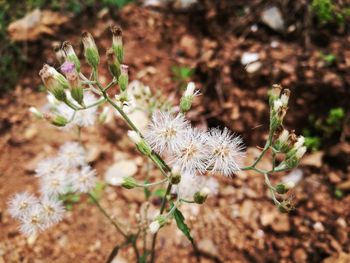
{"x": 34, "y": 221}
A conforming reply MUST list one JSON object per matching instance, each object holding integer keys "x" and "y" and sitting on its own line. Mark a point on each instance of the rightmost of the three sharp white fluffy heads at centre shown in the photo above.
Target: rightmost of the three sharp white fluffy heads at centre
{"x": 226, "y": 151}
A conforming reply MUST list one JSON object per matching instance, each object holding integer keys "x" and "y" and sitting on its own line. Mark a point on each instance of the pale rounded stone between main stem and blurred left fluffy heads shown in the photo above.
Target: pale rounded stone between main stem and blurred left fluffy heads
{"x": 119, "y": 170}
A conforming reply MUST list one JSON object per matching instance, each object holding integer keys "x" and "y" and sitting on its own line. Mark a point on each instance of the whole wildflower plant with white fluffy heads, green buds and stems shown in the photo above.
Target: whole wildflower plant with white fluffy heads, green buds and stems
{"x": 187, "y": 157}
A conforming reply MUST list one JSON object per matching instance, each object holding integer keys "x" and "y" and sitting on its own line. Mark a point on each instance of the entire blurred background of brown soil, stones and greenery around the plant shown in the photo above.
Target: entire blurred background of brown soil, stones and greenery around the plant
{"x": 234, "y": 51}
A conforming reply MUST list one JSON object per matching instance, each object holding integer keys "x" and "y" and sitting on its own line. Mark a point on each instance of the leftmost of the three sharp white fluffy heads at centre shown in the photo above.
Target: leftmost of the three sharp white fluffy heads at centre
{"x": 166, "y": 132}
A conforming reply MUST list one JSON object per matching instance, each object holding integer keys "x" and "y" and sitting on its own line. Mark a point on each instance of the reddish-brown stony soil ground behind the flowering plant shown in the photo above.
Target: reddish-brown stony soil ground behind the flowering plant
{"x": 241, "y": 224}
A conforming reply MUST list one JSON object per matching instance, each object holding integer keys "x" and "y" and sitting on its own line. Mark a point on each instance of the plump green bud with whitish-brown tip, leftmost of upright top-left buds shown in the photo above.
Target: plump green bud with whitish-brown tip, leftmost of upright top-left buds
{"x": 54, "y": 82}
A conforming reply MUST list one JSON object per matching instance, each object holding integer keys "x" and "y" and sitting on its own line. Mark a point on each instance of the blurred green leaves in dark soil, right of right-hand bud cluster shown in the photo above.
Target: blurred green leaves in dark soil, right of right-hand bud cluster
{"x": 323, "y": 128}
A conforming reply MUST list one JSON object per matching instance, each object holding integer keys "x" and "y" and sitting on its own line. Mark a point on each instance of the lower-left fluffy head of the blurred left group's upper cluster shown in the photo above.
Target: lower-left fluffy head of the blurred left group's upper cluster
{"x": 55, "y": 184}
